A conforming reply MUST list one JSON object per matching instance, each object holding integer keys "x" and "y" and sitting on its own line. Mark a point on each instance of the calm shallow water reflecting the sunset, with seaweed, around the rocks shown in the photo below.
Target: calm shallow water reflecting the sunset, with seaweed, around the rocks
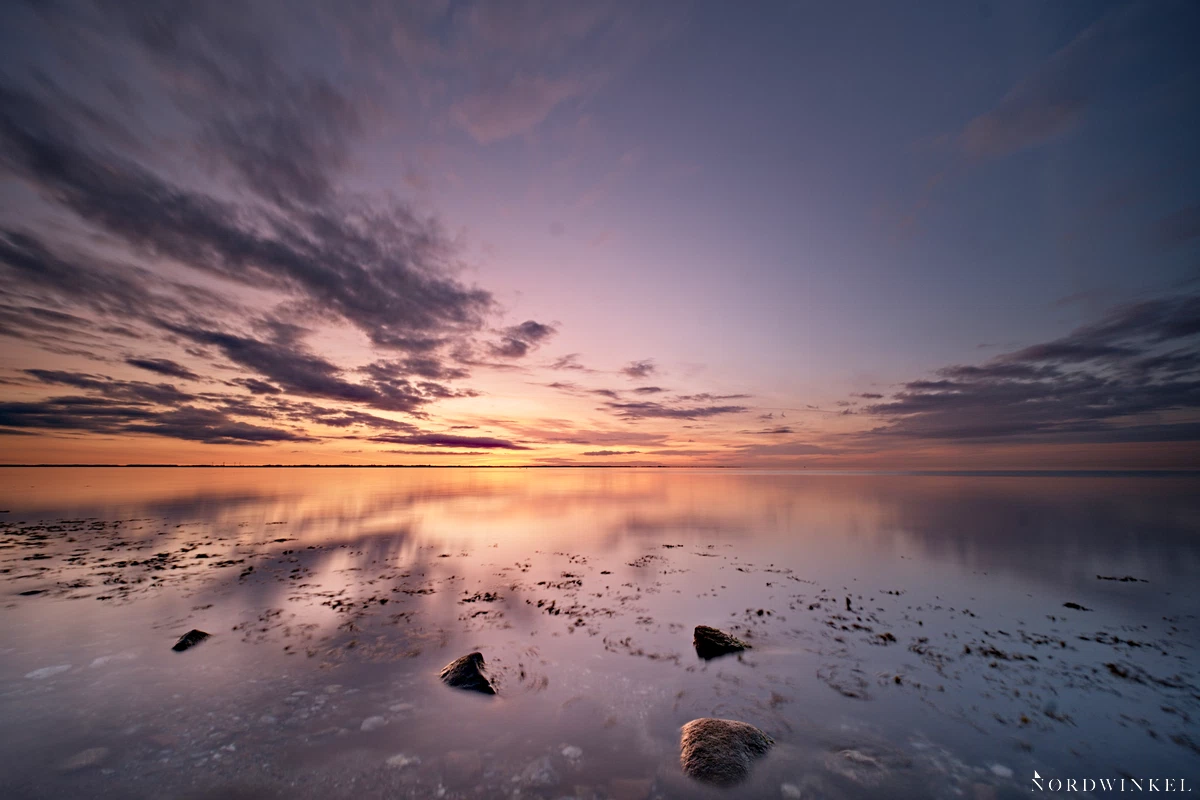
{"x": 335, "y": 596}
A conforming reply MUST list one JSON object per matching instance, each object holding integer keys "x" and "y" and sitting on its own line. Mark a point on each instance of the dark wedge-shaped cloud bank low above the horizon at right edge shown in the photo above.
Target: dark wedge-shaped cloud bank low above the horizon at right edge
{"x": 1132, "y": 376}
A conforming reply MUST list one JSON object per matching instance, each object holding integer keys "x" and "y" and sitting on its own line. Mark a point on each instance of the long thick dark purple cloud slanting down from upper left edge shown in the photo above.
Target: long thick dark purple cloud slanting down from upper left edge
{"x": 377, "y": 266}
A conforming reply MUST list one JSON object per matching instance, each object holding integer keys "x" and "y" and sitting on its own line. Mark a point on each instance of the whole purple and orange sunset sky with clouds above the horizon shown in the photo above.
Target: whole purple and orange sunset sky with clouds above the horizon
{"x": 863, "y": 236}
